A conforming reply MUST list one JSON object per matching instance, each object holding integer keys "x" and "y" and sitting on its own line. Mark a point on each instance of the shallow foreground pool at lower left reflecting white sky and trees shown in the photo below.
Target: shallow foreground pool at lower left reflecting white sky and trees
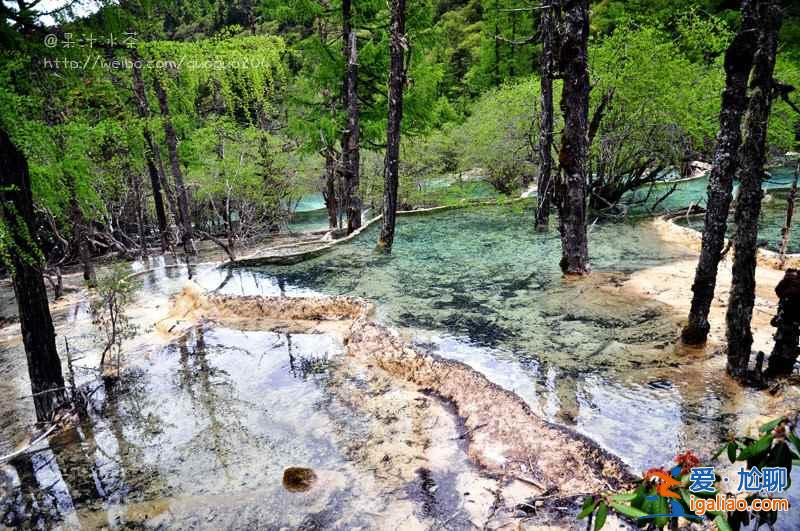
{"x": 198, "y": 435}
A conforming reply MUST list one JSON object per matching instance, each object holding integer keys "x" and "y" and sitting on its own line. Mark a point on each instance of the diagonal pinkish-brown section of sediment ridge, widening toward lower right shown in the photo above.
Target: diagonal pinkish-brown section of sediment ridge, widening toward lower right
{"x": 504, "y": 435}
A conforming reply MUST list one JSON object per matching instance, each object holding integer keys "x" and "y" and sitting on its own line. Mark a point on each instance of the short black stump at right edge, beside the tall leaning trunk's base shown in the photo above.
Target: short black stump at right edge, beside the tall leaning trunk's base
{"x": 787, "y": 325}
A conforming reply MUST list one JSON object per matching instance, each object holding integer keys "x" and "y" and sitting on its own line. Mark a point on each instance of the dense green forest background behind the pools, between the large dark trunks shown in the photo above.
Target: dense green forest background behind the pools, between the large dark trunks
{"x": 235, "y": 112}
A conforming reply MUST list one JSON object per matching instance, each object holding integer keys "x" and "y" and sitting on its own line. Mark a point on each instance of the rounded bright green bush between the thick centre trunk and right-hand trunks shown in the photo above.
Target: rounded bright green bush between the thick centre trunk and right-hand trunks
{"x": 658, "y": 91}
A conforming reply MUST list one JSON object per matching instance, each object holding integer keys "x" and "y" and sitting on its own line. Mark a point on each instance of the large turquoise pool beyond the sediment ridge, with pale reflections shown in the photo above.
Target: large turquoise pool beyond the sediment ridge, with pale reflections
{"x": 482, "y": 286}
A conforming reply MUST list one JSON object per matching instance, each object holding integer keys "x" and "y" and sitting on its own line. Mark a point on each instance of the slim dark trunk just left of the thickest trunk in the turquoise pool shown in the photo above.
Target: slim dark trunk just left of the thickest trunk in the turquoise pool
{"x": 544, "y": 186}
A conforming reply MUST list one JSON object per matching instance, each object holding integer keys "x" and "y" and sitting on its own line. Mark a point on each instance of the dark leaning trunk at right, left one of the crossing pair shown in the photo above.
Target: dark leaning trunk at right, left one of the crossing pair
{"x": 738, "y": 63}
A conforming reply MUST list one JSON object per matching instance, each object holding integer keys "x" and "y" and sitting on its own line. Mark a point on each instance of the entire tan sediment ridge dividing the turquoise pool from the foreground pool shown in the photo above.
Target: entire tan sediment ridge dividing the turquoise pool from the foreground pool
{"x": 501, "y": 432}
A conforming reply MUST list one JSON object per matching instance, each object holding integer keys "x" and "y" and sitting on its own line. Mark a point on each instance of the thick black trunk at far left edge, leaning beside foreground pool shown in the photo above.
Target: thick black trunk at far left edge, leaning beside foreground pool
{"x": 38, "y": 335}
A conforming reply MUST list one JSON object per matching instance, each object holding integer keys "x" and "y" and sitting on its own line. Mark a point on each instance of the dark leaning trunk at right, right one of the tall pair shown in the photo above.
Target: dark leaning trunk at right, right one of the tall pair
{"x": 752, "y": 157}
